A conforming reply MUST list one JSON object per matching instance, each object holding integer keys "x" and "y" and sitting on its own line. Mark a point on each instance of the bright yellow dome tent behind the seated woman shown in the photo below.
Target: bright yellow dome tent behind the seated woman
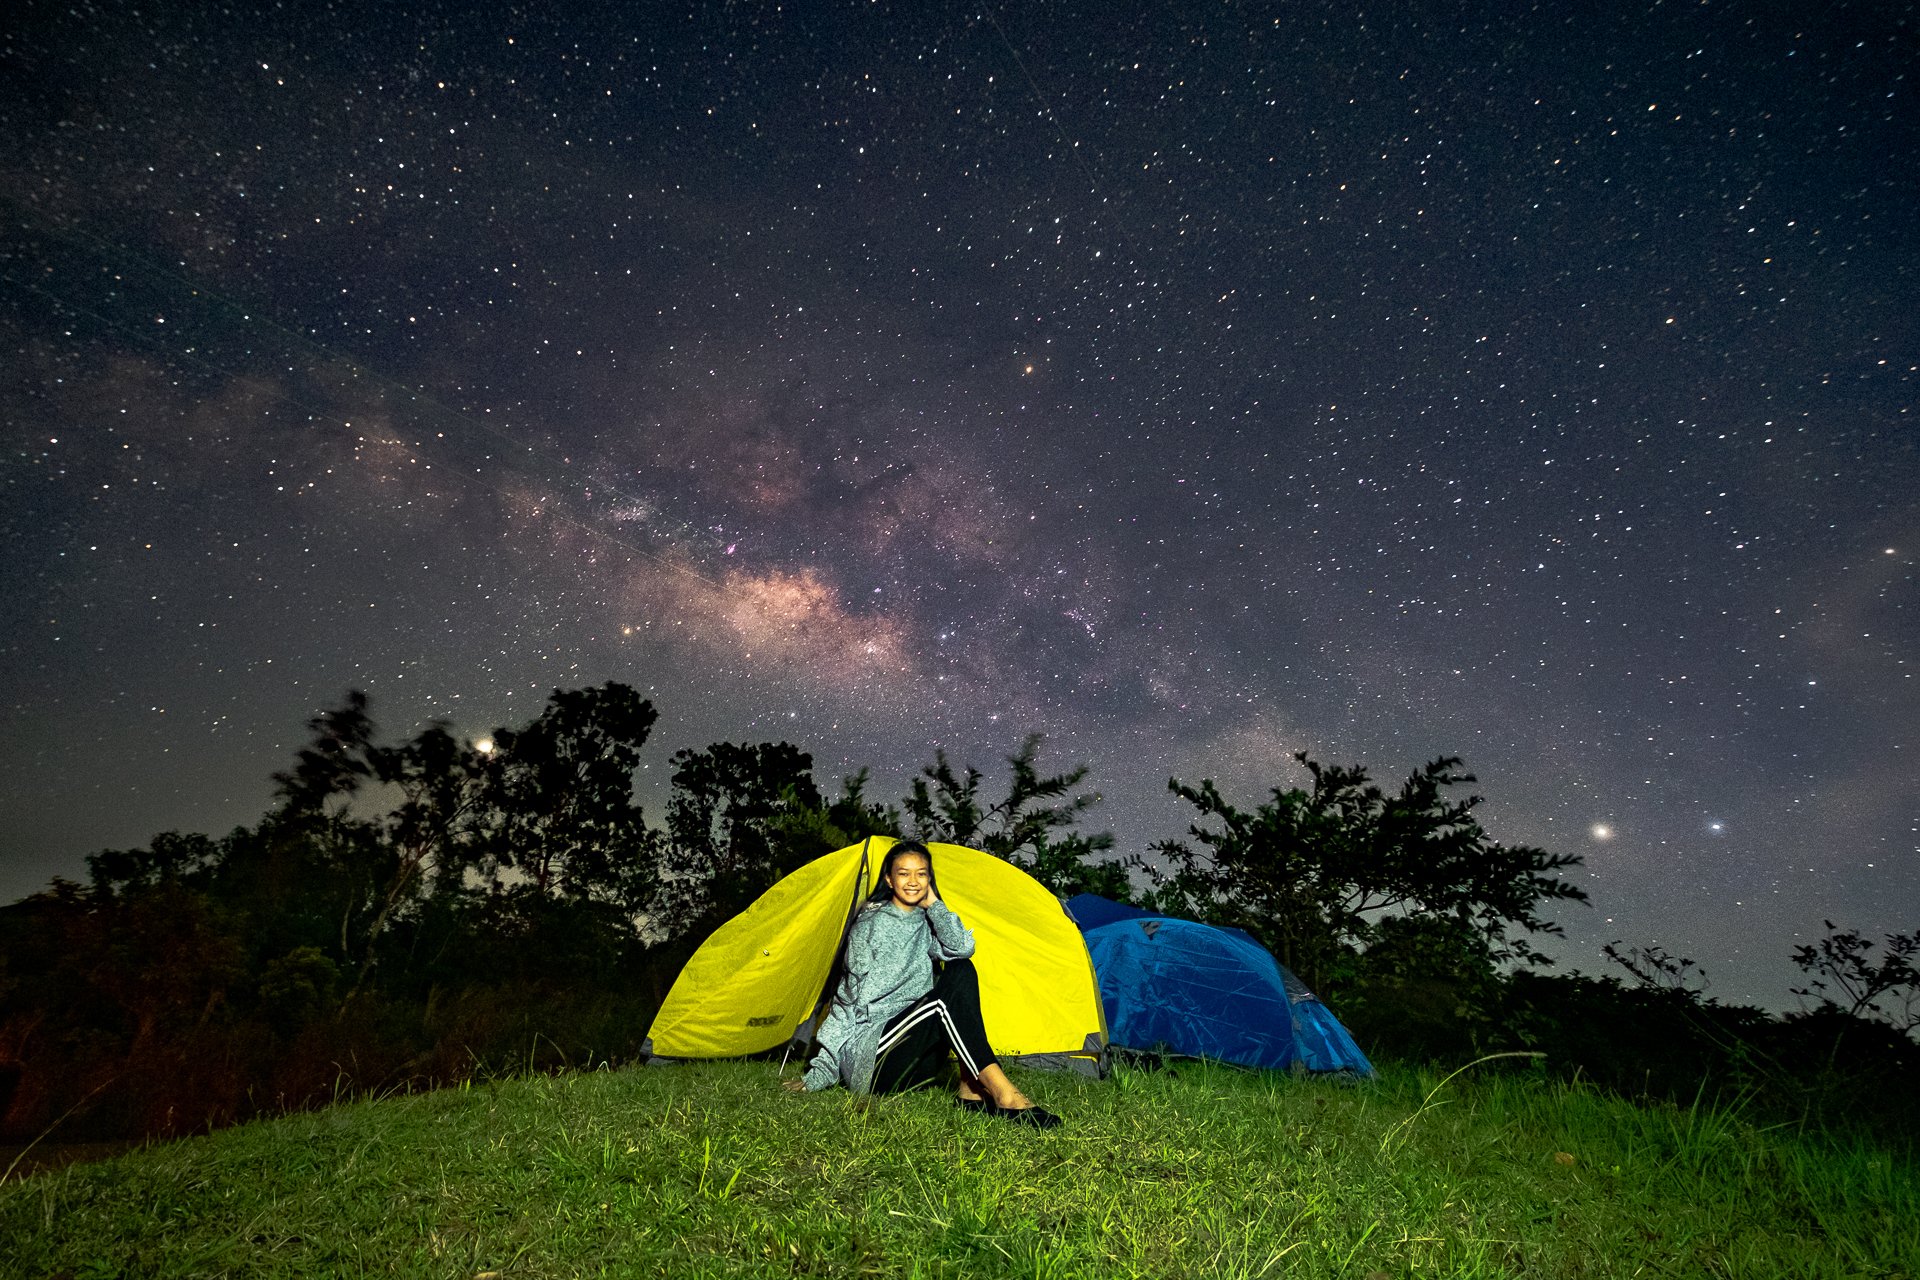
{"x": 761, "y": 978}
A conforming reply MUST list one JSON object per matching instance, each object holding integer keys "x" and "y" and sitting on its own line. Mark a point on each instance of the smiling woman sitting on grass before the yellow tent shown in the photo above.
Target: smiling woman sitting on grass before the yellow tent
{"x": 894, "y": 1020}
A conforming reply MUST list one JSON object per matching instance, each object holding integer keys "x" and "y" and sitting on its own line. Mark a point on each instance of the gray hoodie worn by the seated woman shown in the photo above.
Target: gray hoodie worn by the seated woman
{"x": 890, "y": 966}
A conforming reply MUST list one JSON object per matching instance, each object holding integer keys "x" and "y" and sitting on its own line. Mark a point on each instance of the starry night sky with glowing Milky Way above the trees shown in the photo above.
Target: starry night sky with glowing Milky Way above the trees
{"x": 1188, "y": 383}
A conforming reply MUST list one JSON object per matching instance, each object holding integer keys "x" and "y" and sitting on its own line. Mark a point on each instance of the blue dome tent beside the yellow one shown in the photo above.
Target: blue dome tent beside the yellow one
{"x": 1182, "y": 987}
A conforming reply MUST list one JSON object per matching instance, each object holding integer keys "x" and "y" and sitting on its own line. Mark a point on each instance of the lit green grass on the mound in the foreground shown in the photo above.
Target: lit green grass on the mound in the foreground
{"x": 713, "y": 1172}
